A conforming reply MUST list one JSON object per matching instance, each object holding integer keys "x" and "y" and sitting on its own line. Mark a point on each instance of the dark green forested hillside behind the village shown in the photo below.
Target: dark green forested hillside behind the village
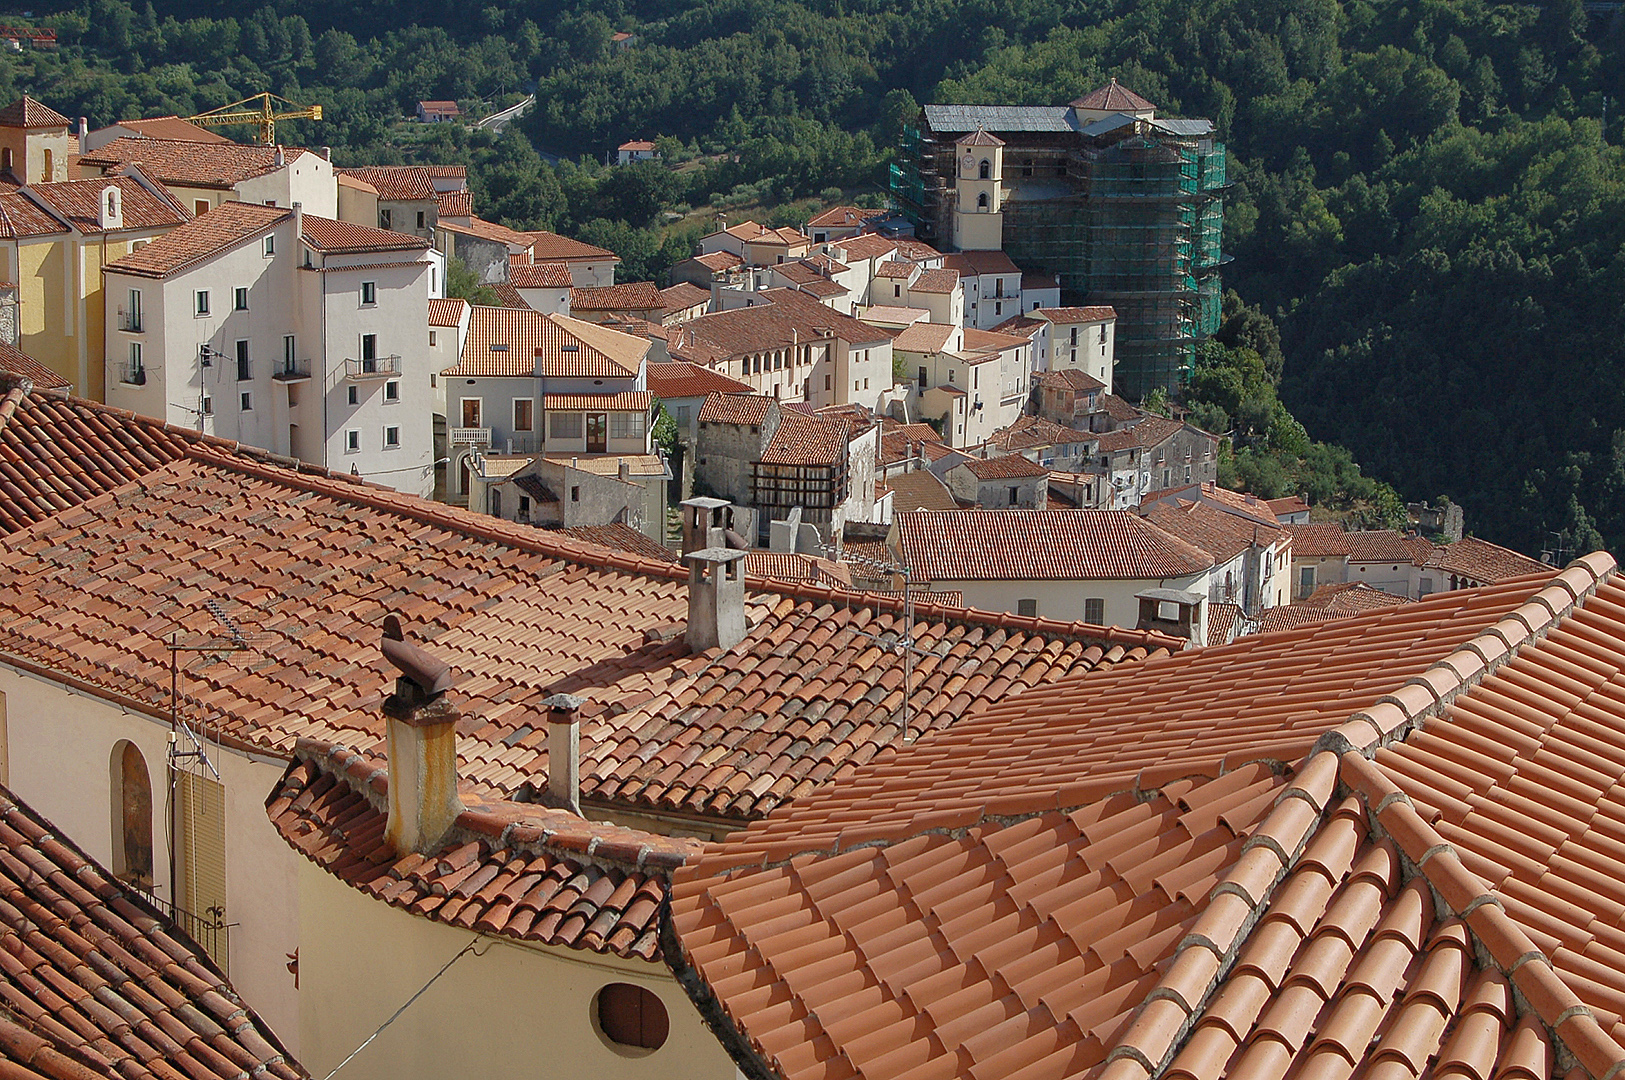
{"x": 1429, "y": 202}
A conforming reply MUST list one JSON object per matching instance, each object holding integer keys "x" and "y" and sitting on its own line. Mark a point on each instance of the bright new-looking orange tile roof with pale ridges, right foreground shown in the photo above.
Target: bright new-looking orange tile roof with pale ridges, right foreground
{"x": 1421, "y": 879}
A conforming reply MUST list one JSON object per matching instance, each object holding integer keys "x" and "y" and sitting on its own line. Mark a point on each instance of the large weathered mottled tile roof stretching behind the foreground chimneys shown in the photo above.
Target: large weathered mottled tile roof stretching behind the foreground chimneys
{"x": 522, "y": 611}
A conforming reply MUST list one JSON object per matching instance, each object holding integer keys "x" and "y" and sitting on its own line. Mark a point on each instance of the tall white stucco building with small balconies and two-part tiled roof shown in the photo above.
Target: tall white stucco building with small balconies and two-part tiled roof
{"x": 301, "y": 335}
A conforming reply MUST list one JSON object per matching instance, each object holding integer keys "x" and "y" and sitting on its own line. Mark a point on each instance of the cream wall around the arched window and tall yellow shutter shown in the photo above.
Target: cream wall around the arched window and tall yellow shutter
{"x": 61, "y": 750}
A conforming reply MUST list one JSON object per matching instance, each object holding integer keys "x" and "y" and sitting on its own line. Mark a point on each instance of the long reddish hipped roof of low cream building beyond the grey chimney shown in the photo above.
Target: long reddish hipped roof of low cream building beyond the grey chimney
{"x": 1042, "y": 546}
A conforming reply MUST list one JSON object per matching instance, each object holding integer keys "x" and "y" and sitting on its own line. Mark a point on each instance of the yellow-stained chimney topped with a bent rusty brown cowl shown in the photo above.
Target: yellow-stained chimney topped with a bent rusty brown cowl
{"x": 422, "y": 741}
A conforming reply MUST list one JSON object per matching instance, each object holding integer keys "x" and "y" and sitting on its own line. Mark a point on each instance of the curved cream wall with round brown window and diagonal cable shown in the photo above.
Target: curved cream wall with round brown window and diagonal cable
{"x": 516, "y": 1011}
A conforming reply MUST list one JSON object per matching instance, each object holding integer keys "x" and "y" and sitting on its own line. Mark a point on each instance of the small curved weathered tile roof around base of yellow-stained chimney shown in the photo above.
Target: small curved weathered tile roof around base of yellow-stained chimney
{"x": 514, "y": 870}
